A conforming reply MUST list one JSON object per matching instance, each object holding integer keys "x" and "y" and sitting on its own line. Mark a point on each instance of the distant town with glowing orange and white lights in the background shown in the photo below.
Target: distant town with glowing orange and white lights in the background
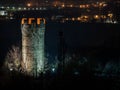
{"x": 99, "y": 11}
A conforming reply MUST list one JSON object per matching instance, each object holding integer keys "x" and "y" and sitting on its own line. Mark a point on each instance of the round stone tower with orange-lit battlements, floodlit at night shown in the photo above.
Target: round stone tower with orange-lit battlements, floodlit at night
{"x": 33, "y": 35}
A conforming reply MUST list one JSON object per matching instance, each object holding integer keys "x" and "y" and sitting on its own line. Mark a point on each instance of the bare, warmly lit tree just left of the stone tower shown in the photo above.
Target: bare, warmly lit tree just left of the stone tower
{"x": 13, "y": 59}
